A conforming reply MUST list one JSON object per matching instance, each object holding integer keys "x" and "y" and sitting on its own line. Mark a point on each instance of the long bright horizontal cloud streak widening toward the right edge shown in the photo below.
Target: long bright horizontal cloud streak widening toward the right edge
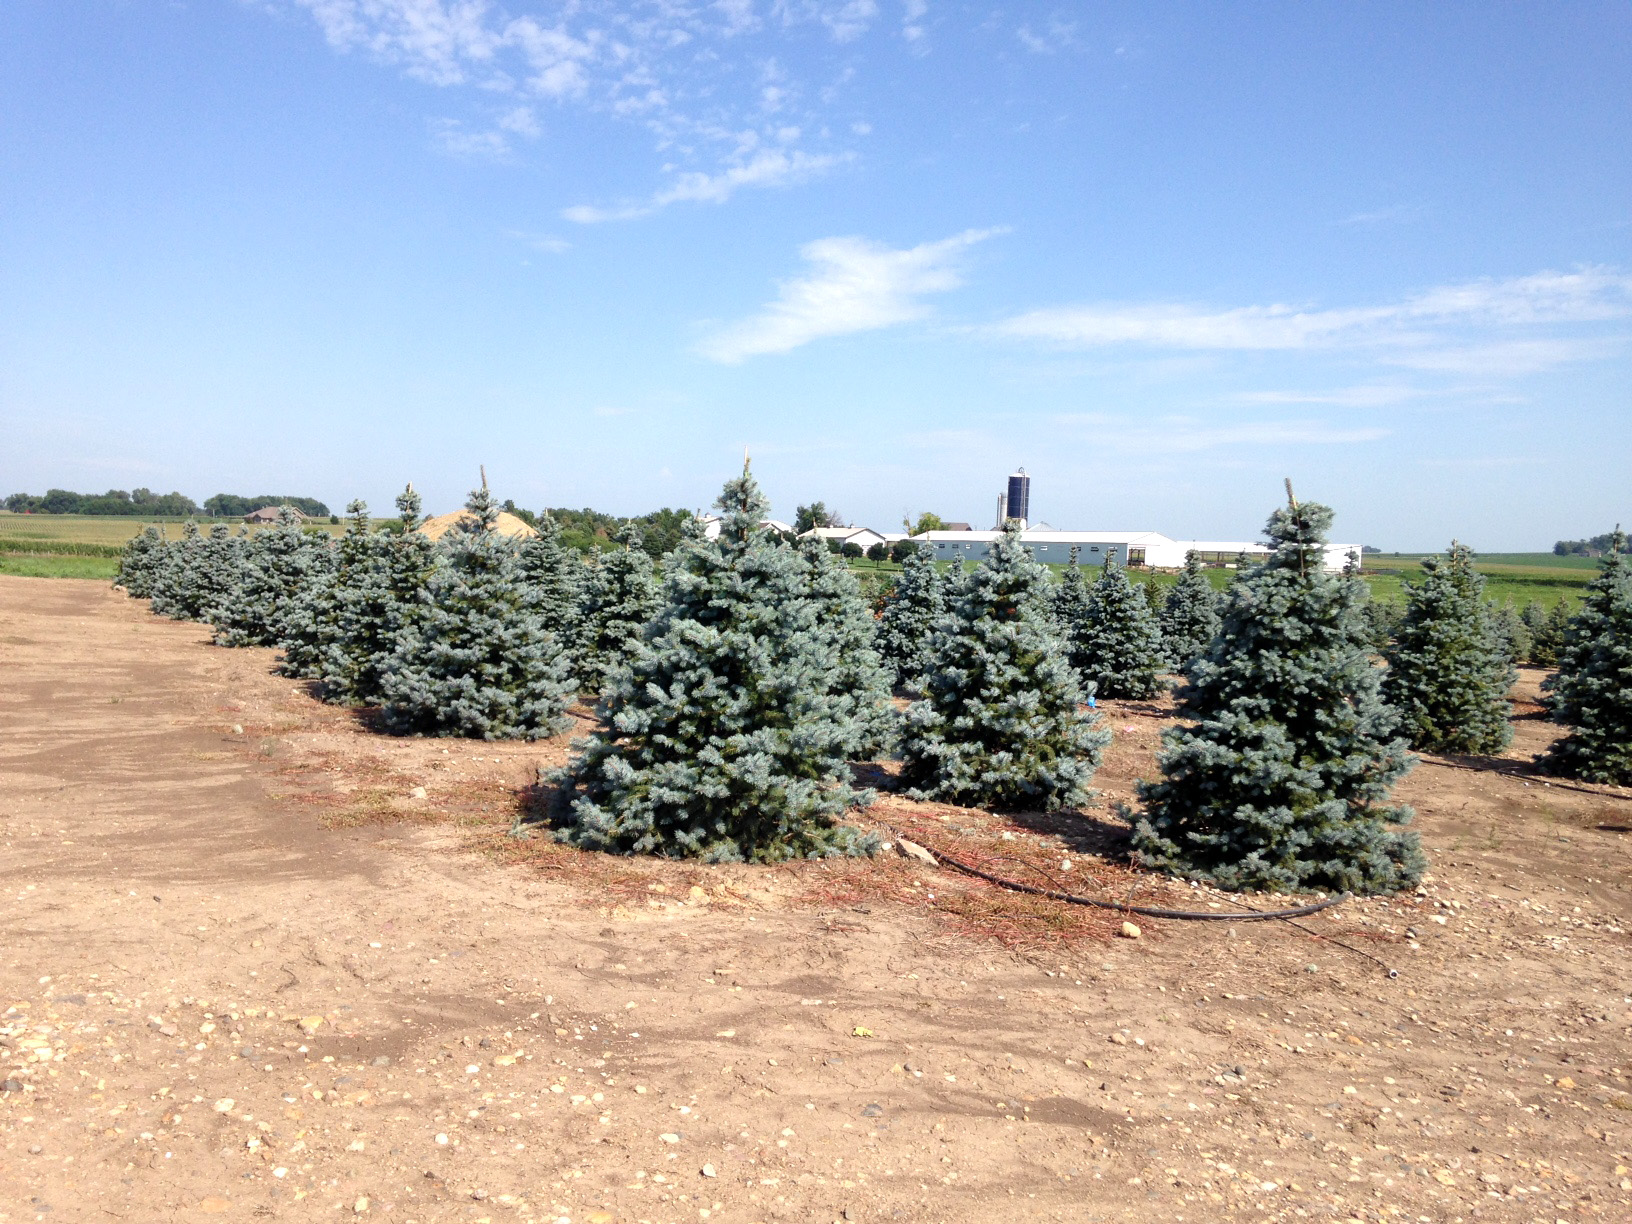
{"x": 1429, "y": 330}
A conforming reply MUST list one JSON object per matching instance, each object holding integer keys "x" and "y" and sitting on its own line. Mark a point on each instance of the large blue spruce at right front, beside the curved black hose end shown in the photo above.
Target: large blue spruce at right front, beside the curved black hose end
{"x": 1277, "y": 778}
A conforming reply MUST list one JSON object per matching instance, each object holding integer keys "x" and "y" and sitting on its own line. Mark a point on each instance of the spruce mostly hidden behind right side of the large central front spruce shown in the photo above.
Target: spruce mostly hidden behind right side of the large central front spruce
{"x": 848, "y": 632}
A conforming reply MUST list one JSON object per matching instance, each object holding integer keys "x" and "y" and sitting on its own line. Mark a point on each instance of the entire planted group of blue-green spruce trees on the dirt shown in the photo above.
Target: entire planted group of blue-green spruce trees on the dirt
{"x": 738, "y": 691}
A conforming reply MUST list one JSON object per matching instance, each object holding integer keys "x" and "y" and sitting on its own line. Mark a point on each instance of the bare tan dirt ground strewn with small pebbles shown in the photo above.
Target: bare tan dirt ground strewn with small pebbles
{"x": 262, "y": 962}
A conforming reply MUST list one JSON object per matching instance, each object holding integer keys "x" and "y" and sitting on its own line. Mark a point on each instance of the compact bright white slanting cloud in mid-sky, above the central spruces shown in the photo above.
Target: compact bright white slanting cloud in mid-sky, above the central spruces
{"x": 854, "y": 286}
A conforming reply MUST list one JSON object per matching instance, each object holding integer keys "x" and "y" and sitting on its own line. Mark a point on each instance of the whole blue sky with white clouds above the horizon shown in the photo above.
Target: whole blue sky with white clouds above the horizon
{"x": 1161, "y": 255}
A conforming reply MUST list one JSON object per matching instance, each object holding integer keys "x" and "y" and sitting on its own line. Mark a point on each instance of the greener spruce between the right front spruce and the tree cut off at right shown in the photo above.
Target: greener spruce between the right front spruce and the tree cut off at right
{"x": 1448, "y": 670}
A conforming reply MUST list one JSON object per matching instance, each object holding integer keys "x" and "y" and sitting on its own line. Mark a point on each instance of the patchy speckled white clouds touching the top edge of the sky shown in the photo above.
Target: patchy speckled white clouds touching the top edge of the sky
{"x": 704, "y": 79}
